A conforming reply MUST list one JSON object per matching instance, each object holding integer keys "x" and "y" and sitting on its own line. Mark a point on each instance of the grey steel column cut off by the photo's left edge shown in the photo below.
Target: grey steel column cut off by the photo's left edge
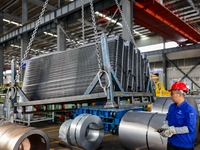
{"x": 1, "y": 51}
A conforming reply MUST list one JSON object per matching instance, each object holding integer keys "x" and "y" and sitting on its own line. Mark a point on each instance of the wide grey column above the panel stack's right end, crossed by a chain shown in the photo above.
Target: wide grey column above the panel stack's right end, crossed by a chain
{"x": 127, "y": 9}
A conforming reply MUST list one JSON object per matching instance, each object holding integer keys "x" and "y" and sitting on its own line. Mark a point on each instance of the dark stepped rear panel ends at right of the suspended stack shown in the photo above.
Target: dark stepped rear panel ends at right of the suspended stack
{"x": 136, "y": 69}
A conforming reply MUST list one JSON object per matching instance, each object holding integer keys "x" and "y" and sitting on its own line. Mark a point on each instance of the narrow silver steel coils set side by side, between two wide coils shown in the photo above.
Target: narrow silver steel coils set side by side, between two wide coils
{"x": 85, "y": 131}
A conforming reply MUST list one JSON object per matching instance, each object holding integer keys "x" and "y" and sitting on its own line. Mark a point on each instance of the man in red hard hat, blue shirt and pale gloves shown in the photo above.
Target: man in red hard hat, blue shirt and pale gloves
{"x": 180, "y": 124}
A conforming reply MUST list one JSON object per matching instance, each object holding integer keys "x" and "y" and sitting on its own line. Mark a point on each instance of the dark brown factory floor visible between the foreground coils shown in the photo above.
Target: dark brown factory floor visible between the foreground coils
{"x": 110, "y": 142}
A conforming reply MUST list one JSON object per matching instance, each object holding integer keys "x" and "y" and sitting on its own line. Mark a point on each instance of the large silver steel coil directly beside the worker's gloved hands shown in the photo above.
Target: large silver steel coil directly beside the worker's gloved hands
{"x": 137, "y": 131}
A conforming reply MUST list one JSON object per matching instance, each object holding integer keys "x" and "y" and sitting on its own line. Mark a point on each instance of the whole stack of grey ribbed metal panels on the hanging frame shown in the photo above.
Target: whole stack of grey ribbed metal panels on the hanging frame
{"x": 69, "y": 73}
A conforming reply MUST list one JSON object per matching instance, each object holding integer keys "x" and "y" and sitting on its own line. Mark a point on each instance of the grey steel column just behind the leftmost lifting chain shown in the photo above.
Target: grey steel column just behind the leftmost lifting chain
{"x": 24, "y": 38}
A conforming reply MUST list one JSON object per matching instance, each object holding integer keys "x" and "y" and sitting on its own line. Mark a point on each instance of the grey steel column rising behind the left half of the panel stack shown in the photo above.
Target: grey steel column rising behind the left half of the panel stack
{"x": 61, "y": 38}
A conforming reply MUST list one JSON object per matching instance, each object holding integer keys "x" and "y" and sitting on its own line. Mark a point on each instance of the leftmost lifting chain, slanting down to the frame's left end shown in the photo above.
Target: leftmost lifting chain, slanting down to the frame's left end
{"x": 31, "y": 40}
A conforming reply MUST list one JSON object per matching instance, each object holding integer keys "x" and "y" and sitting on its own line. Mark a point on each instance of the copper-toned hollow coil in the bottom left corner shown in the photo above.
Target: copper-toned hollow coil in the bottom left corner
{"x": 17, "y": 137}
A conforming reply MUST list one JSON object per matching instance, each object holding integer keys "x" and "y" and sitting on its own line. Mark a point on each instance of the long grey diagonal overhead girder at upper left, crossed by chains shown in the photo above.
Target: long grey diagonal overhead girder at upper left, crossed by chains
{"x": 71, "y": 10}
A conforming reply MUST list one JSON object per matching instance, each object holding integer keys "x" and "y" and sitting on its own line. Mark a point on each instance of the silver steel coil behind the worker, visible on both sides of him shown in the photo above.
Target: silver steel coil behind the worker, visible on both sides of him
{"x": 162, "y": 104}
